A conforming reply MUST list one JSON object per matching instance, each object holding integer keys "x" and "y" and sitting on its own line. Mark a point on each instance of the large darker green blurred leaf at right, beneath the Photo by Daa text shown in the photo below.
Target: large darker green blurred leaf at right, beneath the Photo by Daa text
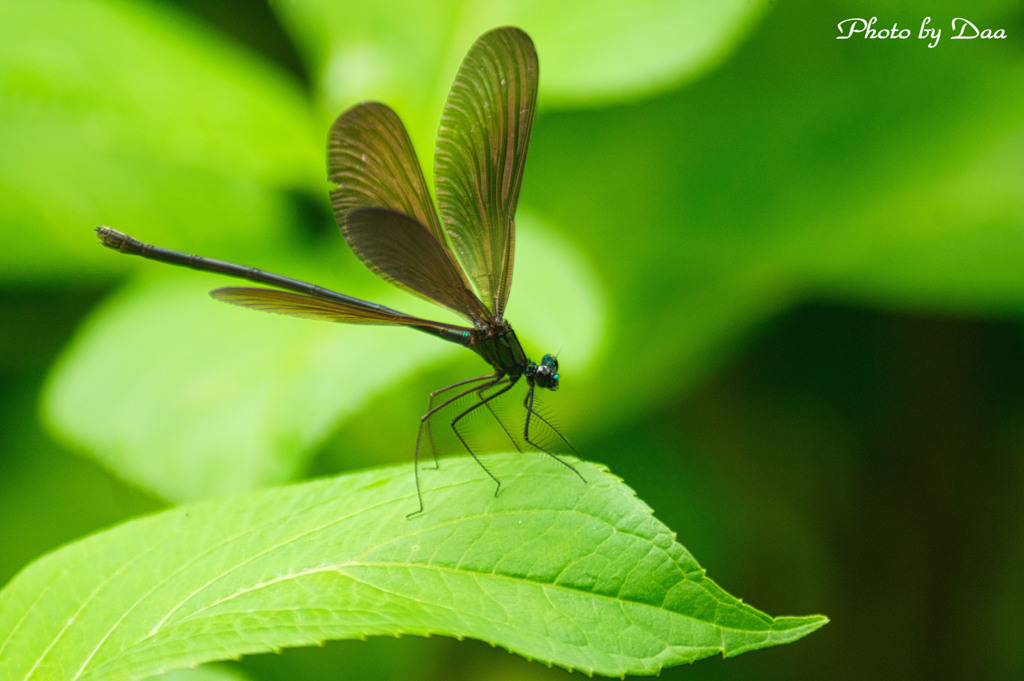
{"x": 722, "y": 205}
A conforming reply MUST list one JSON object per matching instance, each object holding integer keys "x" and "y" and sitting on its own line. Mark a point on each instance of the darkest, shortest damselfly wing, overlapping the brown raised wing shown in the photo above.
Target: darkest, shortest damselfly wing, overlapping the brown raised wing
{"x": 404, "y": 252}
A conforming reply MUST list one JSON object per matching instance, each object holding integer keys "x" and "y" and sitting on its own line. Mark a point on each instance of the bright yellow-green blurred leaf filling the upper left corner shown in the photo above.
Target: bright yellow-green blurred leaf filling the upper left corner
{"x": 133, "y": 115}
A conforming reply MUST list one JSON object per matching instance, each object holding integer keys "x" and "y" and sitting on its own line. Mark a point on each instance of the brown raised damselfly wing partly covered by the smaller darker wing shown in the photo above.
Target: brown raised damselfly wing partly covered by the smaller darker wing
{"x": 372, "y": 162}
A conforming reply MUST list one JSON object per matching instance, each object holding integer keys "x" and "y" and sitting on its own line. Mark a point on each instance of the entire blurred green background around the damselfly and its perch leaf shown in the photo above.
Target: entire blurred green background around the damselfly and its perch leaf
{"x": 784, "y": 274}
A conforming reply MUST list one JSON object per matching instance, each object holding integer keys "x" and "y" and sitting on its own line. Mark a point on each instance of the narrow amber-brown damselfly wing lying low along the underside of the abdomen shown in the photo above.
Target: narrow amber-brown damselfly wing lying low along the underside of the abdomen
{"x": 343, "y": 309}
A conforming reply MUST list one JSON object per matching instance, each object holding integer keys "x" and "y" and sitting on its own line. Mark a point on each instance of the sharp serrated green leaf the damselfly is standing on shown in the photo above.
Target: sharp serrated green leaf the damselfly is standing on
{"x": 572, "y": 574}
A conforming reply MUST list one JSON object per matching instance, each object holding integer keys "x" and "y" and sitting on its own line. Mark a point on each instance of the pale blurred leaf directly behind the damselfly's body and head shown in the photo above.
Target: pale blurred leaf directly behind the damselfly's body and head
{"x": 224, "y": 400}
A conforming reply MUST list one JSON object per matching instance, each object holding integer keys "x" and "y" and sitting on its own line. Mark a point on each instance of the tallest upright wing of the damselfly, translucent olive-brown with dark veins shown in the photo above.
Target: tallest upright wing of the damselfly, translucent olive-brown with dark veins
{"x": 481, "y": 157}
